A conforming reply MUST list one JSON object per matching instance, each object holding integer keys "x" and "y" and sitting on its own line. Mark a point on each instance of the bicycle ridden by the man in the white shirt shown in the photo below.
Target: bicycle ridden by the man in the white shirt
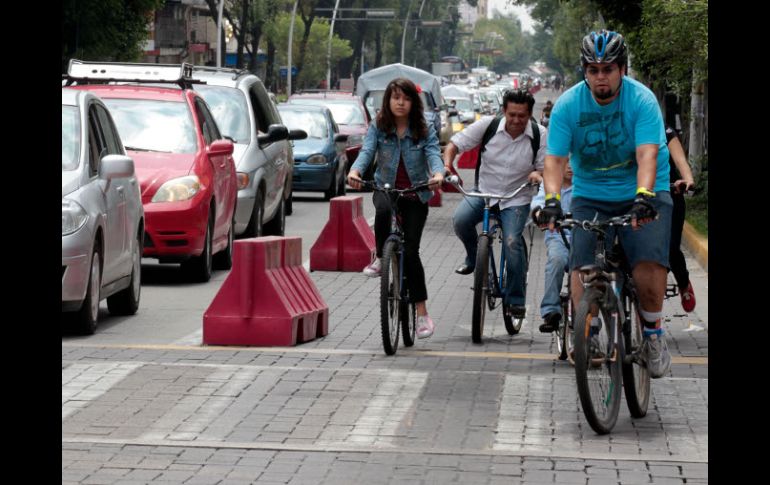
{"x": 488, "y": 286}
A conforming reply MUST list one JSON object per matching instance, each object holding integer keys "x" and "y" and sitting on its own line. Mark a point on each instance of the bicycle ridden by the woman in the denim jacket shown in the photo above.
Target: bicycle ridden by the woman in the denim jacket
{"x": 397, "y": 311}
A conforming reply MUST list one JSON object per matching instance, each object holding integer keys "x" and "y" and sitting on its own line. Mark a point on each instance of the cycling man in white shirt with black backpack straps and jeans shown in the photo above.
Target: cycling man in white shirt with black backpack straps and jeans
{"x": 511, "y": 152}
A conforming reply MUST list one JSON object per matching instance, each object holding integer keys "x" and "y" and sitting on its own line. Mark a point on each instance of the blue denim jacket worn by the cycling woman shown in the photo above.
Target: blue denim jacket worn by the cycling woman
{"x": 421, "y": 159}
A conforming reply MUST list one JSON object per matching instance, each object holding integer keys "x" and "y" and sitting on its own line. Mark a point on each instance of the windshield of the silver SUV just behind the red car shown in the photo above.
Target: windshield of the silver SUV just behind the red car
{"x": 228, "y": 105}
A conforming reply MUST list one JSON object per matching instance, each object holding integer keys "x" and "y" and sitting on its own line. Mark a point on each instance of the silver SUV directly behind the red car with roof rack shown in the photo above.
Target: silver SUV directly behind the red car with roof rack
{"x": 244, "y": 113}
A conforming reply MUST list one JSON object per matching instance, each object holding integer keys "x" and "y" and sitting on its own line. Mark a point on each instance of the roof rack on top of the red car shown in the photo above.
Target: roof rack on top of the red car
{"x": 85, "y": 72}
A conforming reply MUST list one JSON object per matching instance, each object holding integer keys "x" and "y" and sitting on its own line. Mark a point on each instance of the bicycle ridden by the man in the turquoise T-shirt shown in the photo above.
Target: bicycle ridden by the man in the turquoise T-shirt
{"x": 608, "y": 308}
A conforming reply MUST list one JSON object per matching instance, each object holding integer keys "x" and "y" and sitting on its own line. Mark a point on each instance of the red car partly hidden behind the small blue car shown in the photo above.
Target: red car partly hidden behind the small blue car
{"x": 349, "y": 113}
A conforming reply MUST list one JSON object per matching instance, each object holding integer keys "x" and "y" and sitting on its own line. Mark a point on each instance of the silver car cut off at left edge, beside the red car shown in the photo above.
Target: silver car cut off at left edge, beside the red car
{"x": 102, "y": 215}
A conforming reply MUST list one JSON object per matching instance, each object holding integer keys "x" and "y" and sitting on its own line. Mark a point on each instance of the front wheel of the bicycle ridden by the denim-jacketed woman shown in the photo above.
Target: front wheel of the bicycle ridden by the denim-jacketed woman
{"x": 390, "y": 301}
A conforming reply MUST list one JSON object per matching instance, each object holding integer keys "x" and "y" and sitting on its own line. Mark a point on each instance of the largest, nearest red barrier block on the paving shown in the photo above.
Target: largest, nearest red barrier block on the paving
{"x": 267, "y": 299}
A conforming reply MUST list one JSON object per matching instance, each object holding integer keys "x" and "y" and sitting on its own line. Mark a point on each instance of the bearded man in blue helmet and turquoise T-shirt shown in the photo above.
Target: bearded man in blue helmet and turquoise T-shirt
{"x": 611, "y": 130}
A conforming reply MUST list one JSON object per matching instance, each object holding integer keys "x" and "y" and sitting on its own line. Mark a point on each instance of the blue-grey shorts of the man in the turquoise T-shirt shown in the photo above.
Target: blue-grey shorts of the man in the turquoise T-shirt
{"x": 649, "y": 243}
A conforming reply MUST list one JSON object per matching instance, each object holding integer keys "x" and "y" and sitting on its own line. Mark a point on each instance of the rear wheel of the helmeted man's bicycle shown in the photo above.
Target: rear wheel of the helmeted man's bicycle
{"x": 636, "y": 377}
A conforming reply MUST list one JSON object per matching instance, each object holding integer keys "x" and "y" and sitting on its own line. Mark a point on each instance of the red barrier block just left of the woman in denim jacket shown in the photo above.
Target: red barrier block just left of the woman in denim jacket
{"x": 346, "y": 242}
